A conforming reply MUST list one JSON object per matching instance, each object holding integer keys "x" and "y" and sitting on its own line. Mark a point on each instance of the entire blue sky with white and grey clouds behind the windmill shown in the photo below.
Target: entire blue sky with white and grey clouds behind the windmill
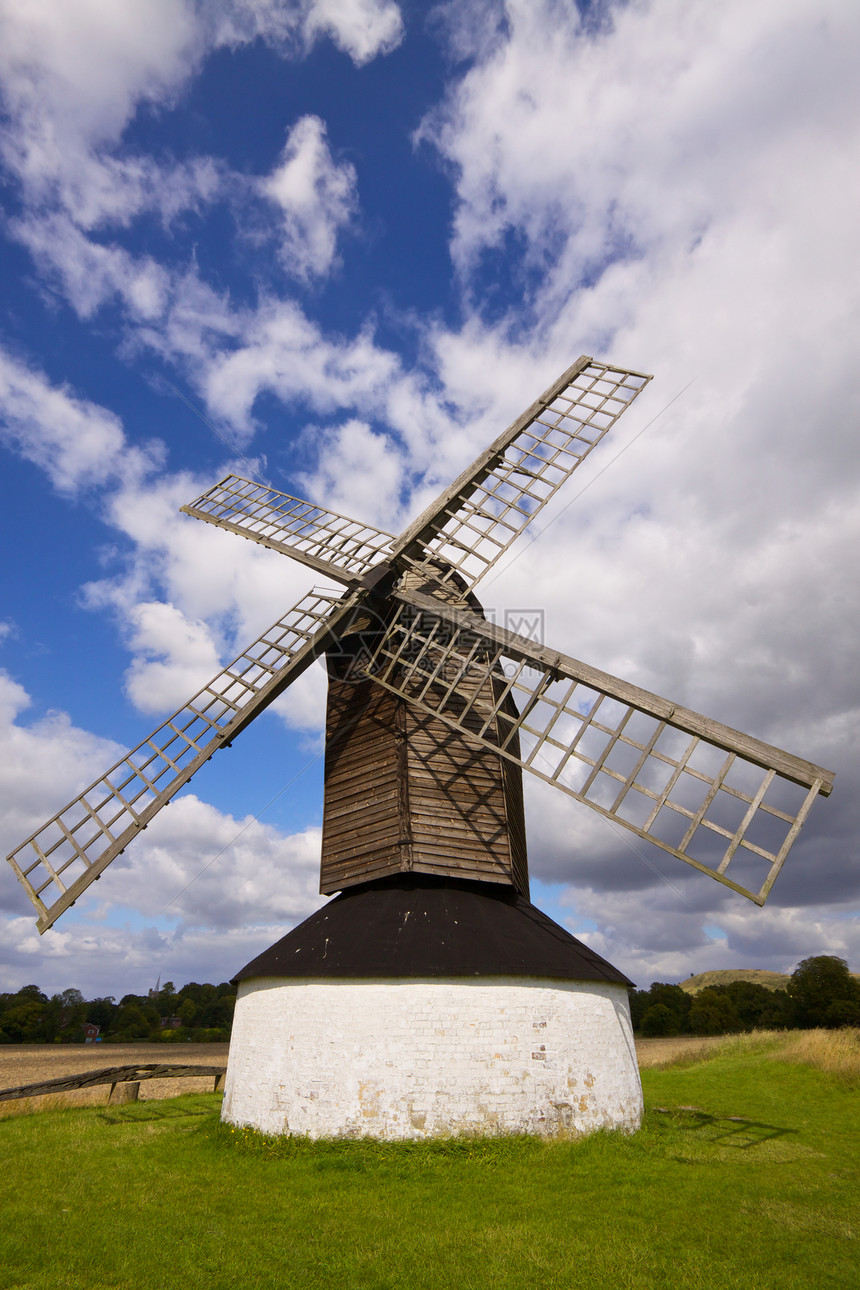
{"x": 344, "y": 244}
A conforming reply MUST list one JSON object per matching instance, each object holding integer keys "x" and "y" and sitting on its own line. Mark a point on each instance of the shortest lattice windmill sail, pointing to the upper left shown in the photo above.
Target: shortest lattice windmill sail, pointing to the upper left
{"x": 331, "y": 544}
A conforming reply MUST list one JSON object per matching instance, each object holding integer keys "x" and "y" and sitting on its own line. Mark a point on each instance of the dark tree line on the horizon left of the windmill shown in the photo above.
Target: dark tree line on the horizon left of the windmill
{"x": 199, "y": 1013}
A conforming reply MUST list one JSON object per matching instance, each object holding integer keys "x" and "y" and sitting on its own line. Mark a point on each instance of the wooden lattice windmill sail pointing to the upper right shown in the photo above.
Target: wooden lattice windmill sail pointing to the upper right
{"x": 473, "y": 523}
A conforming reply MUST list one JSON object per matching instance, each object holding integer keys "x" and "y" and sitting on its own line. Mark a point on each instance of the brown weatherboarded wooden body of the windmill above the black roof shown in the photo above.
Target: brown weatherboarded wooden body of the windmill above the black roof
{"x": 407, "y": 794}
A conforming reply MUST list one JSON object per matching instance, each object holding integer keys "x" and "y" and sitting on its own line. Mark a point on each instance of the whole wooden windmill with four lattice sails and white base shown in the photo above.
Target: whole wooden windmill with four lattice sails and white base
{"x": 430, "y": 997}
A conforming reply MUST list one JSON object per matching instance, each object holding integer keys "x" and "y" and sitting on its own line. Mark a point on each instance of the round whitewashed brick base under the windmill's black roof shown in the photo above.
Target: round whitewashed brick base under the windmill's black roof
{"x": 427, "y": 1058}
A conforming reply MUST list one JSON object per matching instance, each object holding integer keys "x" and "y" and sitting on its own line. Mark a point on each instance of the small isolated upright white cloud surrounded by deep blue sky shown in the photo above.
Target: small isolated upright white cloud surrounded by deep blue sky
{"x": 317, "y": 198}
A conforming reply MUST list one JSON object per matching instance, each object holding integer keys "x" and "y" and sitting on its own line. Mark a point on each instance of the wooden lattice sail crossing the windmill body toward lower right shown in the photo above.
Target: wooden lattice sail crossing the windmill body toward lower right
{"x": 699, "y": 790}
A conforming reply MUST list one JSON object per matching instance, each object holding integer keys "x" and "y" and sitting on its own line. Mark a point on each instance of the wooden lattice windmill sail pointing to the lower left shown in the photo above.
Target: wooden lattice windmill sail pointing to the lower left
{"x": 78, "y": 844}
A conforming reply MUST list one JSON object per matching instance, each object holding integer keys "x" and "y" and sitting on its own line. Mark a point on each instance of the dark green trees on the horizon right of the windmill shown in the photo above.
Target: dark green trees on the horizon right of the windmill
{"x": 819, "y": 993}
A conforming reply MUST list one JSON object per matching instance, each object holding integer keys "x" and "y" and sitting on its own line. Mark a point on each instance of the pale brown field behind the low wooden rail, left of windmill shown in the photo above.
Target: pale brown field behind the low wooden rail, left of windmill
{"x": 29, "y": 1064}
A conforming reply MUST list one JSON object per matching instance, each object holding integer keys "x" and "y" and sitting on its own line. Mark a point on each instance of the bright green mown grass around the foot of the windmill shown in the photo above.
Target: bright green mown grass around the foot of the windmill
{"x": 747, "y": 1173}
